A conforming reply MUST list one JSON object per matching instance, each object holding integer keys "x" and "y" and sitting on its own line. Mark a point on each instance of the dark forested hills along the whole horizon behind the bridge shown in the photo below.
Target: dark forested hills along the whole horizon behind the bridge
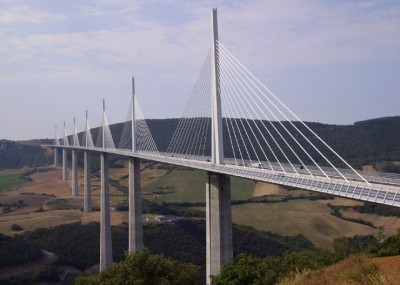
{"x": 367, "y": 142}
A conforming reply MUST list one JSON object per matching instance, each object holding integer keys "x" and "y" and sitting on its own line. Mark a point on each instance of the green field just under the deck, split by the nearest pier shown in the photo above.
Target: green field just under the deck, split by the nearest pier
{"x": 189, "y": 186}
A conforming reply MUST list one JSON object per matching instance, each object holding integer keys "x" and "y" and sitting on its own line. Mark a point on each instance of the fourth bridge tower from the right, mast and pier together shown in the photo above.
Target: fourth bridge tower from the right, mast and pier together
{"x": 87, "y": 205}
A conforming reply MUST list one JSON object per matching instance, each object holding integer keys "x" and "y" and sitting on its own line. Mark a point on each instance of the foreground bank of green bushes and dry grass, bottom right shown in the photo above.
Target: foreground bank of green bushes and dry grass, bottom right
{"x": 349, "y": 262}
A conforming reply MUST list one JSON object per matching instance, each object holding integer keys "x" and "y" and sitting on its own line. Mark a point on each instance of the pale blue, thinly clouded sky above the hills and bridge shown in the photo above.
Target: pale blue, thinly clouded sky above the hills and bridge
{"x": 330, "y": 61}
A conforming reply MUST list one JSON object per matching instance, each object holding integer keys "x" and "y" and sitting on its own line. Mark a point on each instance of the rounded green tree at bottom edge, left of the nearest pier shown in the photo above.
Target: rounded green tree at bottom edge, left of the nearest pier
{"x": 143, "y": 268}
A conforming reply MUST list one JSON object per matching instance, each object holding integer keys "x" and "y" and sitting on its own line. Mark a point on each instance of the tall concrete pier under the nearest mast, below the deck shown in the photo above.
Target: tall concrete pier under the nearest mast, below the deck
{"x": 218, "y": 223}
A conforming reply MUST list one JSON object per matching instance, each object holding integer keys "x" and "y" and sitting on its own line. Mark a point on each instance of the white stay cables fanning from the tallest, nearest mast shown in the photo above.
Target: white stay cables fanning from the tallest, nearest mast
{"x": 259, "y": 130}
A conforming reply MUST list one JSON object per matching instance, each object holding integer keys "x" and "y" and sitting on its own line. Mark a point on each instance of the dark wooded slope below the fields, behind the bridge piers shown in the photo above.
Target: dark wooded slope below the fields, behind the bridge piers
{"x": 77, "y": 244}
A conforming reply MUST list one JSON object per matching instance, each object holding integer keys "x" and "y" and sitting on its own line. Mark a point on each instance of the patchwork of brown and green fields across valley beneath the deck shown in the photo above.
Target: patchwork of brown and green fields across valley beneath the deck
{"x": 47, "y": 201}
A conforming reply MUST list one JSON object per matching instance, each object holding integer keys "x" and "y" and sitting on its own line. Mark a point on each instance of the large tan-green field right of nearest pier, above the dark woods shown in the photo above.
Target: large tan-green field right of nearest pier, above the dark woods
{"x": 310, "y": 218}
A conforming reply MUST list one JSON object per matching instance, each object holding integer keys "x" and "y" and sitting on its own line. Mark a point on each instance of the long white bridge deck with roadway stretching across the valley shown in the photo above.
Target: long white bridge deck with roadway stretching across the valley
{"x": 382, "y": 189}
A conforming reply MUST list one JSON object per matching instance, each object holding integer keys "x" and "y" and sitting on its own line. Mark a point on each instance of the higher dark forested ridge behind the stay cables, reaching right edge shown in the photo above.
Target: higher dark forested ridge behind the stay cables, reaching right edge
{"x": 365, "y": 142}
